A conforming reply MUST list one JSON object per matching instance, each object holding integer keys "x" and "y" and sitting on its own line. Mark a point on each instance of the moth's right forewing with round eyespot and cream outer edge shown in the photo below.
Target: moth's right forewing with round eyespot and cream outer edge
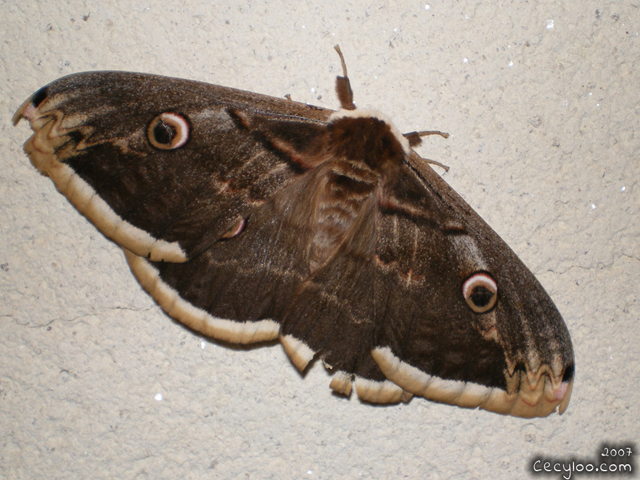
{"x": 515, "y": 358}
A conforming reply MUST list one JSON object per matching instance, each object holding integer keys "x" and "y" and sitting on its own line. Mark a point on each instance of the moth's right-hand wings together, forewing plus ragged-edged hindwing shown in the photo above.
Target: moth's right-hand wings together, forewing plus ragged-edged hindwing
{"x": 396, "y": 295}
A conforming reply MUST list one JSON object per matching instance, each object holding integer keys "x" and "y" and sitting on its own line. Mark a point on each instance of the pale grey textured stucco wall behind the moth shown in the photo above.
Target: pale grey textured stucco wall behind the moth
{"x": 541, "y": 100}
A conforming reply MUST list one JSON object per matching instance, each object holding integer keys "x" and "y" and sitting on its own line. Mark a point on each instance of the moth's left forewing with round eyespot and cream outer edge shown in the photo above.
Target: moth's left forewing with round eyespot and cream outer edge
{"x": 92, "y": 136}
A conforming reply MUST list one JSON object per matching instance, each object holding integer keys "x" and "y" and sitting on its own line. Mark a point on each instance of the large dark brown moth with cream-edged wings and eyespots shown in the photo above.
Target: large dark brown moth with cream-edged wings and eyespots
{"x": 251, "y": 219}
